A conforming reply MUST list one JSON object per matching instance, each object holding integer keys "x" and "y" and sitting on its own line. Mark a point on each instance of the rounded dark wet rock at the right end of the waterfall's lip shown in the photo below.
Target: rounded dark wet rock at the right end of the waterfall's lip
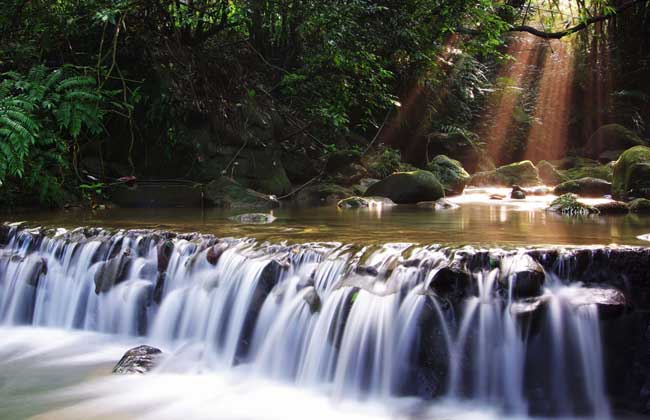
{"x": 522, "y": 275}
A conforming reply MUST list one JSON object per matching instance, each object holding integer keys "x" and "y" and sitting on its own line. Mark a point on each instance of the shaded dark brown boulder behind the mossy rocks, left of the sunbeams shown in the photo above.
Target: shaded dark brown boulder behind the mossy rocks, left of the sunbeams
{"x": 457, "y": 146}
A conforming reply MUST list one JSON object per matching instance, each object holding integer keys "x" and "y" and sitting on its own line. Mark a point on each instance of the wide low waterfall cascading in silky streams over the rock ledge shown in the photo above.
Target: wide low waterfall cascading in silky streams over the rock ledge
{"x": 363, "y": 323}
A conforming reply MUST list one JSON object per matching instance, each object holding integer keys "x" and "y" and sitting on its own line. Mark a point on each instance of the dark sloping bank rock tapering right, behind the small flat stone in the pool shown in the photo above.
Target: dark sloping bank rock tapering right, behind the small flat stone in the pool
{"x": 227, "y": 193}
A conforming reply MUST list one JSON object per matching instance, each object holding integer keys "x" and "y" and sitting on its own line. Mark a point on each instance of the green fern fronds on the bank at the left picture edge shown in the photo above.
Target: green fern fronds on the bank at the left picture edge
{"x": 42, "y": 114}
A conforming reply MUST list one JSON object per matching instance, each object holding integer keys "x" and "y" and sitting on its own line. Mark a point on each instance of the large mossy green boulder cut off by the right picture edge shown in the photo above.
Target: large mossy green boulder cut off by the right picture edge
{"x": 632, "y": 174}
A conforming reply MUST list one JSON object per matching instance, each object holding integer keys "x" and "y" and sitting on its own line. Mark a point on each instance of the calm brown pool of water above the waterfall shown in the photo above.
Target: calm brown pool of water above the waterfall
{"x": 478, "y": 221}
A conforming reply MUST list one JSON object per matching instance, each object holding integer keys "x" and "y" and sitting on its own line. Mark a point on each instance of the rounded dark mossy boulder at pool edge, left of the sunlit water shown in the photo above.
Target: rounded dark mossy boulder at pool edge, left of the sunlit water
{"x": 408, "y": 187}
